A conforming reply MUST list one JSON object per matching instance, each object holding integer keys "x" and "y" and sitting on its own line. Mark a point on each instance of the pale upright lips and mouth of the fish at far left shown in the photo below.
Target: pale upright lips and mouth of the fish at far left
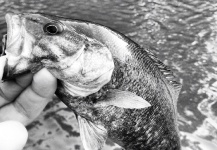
{"x": 12, "y": 46}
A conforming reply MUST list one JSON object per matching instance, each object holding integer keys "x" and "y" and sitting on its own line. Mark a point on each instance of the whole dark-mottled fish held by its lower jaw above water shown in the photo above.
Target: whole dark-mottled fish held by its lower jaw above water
{"x": 116, "y": 88}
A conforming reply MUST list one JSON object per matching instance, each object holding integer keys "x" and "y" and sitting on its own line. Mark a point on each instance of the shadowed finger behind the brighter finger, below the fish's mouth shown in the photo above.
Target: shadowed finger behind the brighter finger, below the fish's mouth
{"x": 11, "y": 89}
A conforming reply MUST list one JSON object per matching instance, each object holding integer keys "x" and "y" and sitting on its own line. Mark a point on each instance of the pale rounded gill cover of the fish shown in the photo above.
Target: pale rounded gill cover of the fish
{"x": 91, "y": 69}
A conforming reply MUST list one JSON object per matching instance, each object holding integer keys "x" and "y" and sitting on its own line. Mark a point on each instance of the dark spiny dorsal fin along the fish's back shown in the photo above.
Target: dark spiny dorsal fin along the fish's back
{"x": 167, "y": 73}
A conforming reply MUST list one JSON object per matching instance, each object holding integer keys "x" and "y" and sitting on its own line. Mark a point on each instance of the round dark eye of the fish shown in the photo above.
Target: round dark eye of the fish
{"x": 53, "y": 28}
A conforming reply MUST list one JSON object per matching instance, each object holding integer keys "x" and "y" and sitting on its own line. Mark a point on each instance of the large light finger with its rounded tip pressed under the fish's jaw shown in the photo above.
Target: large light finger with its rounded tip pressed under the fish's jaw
{"x": 32, "y": 100}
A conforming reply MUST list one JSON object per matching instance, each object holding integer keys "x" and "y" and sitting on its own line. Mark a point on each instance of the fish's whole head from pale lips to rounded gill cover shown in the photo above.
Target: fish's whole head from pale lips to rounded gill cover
{"x": 35, "y": 41}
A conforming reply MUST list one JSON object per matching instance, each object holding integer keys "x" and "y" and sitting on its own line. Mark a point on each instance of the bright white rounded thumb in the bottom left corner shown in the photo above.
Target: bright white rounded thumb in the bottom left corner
{"x": 13, "y": 135}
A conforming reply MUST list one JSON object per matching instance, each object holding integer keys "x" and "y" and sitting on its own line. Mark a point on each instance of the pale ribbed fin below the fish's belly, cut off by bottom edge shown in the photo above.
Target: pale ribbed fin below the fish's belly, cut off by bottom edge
{"x": 93, "y": 136}
